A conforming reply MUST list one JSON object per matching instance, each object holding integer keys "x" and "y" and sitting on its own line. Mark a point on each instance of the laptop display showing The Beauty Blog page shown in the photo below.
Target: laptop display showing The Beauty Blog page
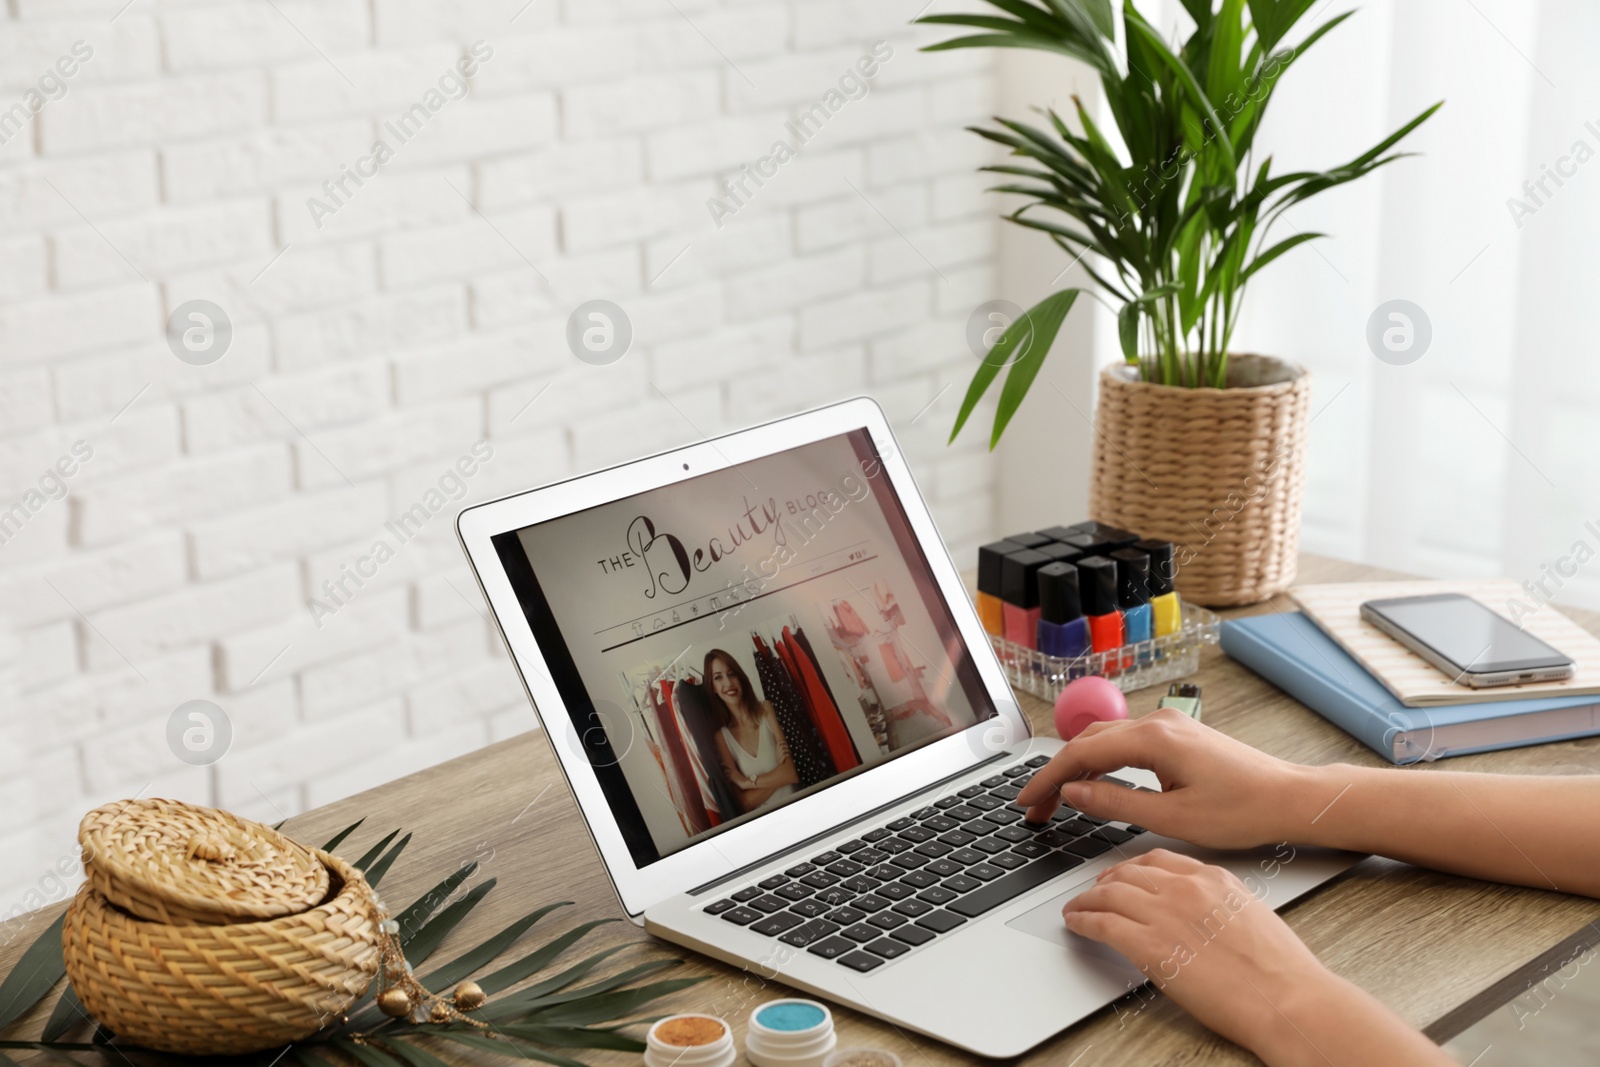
{"x": 742, "y": 639}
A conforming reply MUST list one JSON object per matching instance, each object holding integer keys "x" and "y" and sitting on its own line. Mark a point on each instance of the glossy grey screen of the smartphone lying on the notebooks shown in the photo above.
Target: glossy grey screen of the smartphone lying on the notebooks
{"x": 1468, "y": 634}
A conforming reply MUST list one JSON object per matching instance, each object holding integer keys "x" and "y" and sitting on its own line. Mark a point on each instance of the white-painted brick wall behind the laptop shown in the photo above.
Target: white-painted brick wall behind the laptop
{"x": 422, "y": 316}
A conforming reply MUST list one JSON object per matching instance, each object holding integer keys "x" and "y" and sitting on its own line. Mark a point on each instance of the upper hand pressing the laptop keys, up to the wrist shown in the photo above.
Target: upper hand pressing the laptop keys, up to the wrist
{"x": 1217, "y": 791}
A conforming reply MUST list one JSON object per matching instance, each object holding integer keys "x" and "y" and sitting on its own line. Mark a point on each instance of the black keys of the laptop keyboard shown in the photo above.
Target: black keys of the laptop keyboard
{"x": 902, "y": 885}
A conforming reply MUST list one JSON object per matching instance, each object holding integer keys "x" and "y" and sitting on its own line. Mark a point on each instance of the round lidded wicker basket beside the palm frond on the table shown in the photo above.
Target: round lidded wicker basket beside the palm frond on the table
{"x": 204, "y": 933}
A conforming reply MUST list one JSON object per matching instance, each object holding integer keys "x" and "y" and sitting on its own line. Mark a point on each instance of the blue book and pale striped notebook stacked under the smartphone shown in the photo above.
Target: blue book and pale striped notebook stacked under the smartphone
{"x": 1398, "y": 711}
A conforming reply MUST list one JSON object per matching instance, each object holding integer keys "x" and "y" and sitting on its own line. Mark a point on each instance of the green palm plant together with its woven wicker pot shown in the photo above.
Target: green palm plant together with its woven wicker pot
{"x": 1170, "y": 217}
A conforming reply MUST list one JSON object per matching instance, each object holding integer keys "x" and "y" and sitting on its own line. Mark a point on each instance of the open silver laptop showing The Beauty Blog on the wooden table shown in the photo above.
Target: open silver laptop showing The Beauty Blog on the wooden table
{"x": 793, "y": 743}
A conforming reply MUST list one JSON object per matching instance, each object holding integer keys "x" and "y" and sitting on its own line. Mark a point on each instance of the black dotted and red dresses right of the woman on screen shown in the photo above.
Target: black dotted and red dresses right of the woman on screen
{"x": 793, "y": 682}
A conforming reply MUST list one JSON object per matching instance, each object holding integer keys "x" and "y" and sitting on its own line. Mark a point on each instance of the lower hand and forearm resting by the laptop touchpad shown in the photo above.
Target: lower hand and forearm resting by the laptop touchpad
{"x": 1228, "y": 959}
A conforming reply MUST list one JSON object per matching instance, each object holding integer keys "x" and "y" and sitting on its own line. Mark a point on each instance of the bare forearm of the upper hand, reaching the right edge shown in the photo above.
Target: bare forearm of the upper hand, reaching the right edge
{"x": 1527, "y": 831}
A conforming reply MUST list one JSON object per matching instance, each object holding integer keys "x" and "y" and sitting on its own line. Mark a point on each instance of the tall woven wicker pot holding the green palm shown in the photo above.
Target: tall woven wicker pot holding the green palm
{"x": 1220, "y": 473}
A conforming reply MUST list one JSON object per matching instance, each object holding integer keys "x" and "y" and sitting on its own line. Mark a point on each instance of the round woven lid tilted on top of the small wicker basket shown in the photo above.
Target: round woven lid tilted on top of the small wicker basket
{"x": 174, "y": 863}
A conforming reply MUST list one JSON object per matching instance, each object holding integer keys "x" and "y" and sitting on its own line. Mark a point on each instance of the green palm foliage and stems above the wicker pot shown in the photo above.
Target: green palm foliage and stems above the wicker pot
{"x": 1159, "y": 212}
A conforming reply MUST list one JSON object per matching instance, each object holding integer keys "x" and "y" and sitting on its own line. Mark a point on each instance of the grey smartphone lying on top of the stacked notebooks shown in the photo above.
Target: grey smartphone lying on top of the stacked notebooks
{"x": 1466, "y": 641}
